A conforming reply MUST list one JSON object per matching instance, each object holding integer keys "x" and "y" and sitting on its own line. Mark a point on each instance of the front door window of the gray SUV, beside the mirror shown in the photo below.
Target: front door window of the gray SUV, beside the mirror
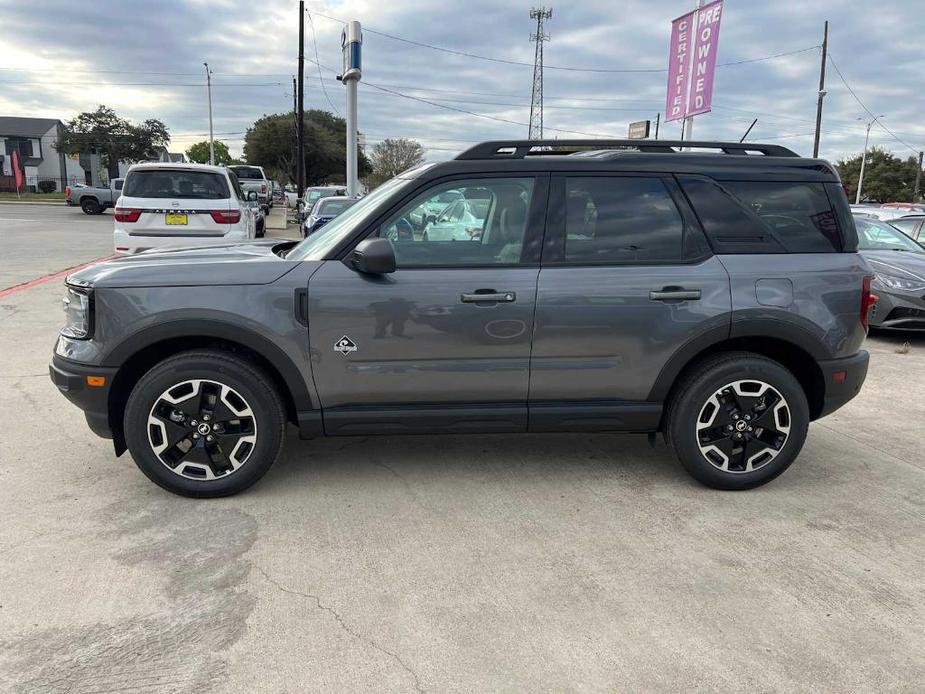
{"x": 462, "y": 223}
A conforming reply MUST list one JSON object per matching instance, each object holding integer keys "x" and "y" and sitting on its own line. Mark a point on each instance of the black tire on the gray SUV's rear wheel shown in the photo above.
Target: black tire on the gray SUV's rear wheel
{"x": 690, "y": 405}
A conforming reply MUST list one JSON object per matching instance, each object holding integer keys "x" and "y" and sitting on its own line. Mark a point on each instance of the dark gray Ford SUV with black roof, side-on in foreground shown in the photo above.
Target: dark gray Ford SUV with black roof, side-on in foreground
{"x": 714, "y": 295}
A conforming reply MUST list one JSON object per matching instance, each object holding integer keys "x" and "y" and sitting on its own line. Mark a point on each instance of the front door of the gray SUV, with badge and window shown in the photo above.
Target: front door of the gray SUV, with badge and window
{"x": 443, "y": 343}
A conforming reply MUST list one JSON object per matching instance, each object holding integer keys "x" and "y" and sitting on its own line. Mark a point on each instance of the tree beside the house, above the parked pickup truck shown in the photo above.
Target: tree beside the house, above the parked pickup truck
{"x": 113, "y": 138}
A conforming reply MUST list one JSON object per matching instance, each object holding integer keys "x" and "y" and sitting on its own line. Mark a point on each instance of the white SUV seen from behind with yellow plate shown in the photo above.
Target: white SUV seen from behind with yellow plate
{"x": 170, "y": 205}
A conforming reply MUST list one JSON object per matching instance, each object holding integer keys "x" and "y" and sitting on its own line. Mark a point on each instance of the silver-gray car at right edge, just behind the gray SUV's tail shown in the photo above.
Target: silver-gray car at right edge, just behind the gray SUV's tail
{"x": 898, "y": 263}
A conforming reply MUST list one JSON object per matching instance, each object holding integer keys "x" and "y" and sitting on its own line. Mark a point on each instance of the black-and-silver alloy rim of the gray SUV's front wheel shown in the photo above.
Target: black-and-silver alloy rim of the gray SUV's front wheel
{"x": 233, "y": 457}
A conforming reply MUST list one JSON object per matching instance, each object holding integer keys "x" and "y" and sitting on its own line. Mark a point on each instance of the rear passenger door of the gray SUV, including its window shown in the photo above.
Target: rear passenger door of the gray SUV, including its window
{"x": 627, "y": 281}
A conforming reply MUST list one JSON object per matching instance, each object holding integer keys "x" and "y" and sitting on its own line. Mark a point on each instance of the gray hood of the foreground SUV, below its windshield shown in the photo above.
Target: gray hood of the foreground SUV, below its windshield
{"x": 239, "y": 264}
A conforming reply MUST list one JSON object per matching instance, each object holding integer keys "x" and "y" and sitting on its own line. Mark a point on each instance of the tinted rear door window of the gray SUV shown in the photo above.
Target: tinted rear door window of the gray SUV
{"x": 621, "y": 220}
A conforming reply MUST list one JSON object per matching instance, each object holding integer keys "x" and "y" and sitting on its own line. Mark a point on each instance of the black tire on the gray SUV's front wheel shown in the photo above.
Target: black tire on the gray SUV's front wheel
{"x": 247, "y": 381}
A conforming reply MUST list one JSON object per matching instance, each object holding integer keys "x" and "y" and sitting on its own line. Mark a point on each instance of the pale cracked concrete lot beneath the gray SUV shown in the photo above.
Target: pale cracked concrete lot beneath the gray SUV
{"x": 442, "y": 564}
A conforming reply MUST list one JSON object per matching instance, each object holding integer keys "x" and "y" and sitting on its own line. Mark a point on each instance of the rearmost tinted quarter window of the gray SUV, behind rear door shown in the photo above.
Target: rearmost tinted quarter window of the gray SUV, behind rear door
{"x": 765, "y": 216}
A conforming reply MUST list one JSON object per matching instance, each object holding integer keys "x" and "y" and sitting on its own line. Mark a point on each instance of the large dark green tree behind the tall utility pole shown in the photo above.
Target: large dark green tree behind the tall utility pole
{"x": 270, "y": 143}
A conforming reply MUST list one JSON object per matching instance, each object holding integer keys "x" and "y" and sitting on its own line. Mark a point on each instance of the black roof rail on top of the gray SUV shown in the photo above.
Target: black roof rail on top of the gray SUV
{"x": 518, "y": 149}
